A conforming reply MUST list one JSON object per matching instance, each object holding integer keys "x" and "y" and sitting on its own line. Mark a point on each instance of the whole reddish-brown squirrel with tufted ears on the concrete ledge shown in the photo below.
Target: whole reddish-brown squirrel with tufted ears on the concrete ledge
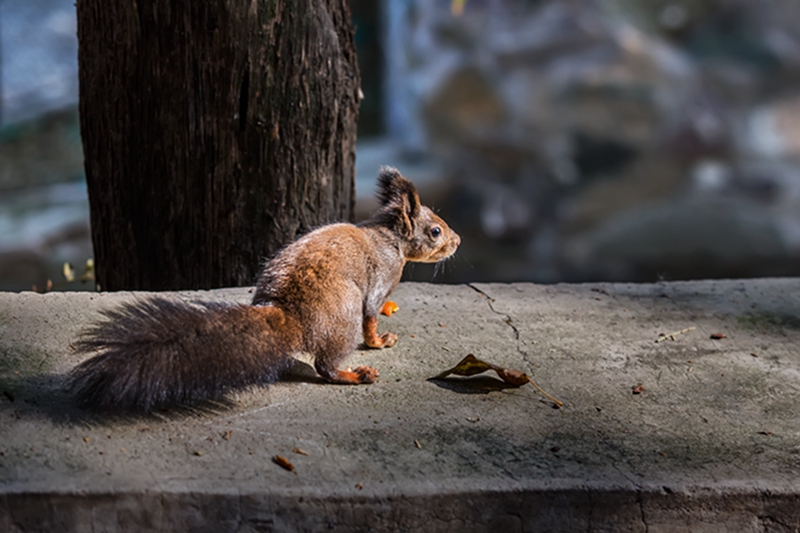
{"x": 317, "y": 295}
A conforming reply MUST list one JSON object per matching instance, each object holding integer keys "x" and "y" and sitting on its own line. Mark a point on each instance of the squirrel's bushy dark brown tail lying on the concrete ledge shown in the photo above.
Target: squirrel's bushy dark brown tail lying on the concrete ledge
{"x": 160, "y": 352}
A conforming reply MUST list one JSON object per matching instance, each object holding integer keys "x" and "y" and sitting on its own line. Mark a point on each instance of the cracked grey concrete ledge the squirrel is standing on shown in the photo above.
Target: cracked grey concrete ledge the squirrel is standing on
{"x": 712, "y": 444}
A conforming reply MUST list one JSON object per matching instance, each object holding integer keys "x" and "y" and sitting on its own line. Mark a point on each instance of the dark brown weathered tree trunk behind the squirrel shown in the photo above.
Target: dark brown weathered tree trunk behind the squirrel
{"x": 214, "y": 132}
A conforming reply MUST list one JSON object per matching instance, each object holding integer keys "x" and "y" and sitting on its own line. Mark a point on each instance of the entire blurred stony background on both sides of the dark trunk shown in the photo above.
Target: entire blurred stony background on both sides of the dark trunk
{"x": 565, "y": 140}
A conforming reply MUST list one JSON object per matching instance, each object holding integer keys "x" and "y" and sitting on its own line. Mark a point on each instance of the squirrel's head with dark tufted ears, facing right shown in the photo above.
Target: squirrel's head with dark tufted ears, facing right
{"x": 427, "y": 238}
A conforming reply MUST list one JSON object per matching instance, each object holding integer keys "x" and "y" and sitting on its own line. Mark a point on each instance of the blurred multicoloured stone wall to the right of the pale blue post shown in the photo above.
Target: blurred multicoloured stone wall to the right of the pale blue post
{"x": 616, "y": 140}
